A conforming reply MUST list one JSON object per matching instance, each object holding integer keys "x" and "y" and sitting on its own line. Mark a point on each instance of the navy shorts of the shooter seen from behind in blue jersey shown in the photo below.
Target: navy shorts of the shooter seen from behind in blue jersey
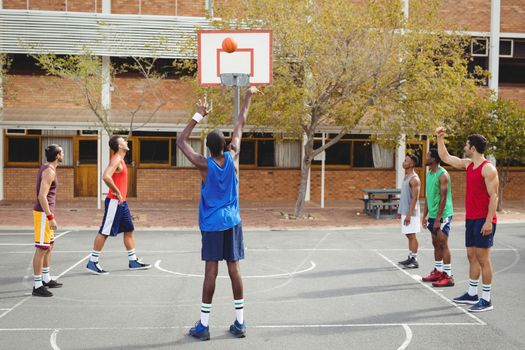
{"x": 223, "y": 245}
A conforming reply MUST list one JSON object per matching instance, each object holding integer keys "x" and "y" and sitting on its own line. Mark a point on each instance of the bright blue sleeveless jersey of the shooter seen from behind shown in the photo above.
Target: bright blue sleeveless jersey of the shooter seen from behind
{"x": 219, "y": 205}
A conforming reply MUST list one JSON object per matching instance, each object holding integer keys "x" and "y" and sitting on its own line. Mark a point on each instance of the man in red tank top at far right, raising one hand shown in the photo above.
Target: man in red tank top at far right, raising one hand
{"x": 480, "y": 220}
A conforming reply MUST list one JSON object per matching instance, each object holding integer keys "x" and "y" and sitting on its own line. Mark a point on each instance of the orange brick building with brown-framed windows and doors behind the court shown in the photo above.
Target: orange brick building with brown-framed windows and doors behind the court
{"x": 39, "y": 109}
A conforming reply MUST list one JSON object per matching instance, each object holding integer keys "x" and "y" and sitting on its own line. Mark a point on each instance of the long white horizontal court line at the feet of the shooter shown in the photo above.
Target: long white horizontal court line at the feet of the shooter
{"x": 263, "y": 326}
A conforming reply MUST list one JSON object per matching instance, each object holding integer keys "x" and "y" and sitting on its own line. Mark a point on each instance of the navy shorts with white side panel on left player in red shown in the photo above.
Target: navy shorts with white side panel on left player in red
{"x": 117, "y": 218}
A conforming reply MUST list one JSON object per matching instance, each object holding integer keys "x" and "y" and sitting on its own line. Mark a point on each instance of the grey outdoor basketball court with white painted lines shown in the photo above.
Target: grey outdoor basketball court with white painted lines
{"x": 304, "y": 289}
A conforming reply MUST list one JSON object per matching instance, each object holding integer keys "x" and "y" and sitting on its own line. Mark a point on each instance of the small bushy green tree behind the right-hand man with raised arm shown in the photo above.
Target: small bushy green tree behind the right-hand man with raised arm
{"x": 502, "y": 122}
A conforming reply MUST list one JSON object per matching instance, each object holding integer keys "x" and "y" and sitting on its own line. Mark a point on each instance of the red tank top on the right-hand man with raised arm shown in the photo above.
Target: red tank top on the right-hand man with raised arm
{"x": 477, "y": 198}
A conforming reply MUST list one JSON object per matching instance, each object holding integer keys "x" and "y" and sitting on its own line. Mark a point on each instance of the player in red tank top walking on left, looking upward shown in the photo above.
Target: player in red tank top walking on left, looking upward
{"x": 117, "y": 217}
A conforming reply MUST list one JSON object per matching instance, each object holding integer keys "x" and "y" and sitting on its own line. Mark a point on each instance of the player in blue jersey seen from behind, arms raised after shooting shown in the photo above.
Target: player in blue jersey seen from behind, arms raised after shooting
{"x": 219, "y": 215}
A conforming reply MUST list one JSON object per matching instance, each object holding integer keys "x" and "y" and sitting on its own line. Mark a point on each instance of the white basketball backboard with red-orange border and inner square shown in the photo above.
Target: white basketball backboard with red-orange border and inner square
{"x": 253, "y": 56}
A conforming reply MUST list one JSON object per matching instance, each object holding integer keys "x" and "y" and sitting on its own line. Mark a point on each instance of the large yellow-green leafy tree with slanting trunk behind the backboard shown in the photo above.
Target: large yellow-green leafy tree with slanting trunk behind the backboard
{"x": 355, "y": 64}
